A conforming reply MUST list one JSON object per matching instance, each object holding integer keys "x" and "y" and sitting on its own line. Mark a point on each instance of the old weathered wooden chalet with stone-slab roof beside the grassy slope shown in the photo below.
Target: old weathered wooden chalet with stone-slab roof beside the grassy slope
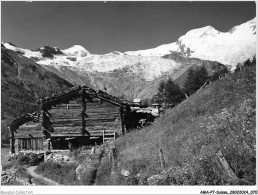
{"x": 78, "y": 116}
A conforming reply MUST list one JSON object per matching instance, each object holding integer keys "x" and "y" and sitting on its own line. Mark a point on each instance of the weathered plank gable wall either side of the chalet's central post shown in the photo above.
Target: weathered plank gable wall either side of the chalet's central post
{"x": 66, "y": 118}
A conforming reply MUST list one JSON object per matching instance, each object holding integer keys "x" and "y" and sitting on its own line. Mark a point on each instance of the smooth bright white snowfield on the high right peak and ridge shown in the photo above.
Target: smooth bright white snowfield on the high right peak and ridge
{"x": 207, "y": 43}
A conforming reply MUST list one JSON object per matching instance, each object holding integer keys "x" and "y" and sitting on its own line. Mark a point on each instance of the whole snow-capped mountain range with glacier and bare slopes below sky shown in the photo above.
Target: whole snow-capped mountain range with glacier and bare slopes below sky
{"x": 137, "y": 73}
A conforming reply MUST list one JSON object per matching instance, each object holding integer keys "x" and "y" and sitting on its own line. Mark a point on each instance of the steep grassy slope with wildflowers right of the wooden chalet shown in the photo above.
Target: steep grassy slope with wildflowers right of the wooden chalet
{"x": 219, "y": 117}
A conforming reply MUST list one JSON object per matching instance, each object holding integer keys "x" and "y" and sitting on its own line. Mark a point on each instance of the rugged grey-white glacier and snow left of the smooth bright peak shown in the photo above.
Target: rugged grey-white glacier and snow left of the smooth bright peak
{"x": 79, "y": 59}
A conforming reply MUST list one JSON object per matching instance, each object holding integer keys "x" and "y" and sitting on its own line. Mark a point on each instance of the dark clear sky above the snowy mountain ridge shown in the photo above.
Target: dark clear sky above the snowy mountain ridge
{"x": 103, "y": 27}
